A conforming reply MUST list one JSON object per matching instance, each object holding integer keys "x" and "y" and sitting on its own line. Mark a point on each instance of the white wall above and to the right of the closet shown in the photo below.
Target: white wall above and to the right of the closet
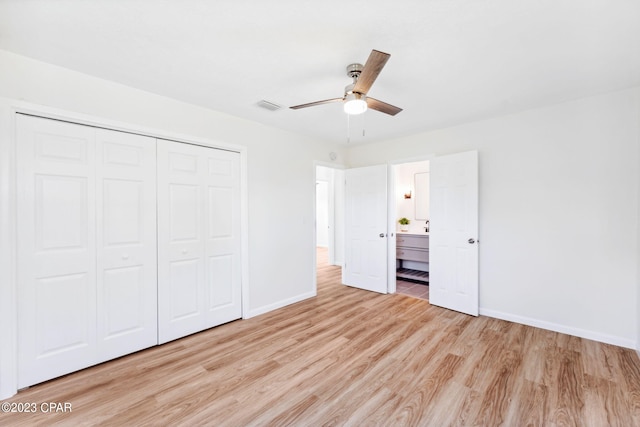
{"x": 281, "y": 171}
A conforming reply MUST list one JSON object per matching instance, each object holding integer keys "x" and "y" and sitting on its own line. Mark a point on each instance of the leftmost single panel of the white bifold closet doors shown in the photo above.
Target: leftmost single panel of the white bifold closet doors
{"x": 56, "y": 249}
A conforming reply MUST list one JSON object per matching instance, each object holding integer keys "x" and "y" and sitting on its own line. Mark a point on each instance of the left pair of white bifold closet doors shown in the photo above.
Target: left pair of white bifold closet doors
{"x": 87, "y": 268}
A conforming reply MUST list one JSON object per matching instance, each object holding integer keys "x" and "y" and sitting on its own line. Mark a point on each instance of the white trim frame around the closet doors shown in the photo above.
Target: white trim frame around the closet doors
{"x": 8, "y": 221}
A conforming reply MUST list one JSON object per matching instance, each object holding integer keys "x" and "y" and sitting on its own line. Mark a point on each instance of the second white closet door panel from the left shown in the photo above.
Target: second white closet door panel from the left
{"x": 126, "y": 243}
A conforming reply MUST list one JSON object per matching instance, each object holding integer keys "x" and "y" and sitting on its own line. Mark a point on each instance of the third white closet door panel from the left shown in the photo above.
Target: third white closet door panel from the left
{"x": 181, "y": 271}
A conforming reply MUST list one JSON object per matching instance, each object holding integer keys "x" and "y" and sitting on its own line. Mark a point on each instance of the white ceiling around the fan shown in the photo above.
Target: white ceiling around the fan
{"x": 452, "y": 61}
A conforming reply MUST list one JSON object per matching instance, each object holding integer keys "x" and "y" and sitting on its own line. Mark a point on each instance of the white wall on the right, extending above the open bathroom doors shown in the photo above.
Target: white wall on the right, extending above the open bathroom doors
{"x": 558, "y": 212}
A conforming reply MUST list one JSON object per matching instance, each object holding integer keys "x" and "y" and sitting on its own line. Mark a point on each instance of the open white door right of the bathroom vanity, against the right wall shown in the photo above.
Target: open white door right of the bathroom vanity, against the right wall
{"x": 453, "y": 247}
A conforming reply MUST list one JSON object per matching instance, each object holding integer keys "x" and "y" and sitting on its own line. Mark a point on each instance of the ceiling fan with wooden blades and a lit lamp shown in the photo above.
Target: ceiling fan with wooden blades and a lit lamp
{"x": 355, "y": 96}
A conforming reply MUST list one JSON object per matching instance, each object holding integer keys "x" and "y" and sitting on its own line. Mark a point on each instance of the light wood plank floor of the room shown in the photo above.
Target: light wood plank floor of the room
{"x": 351, "y": 357}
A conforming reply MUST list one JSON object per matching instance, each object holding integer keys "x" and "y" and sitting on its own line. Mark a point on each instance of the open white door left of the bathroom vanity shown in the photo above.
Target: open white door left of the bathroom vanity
{"x": 366, "y": 228}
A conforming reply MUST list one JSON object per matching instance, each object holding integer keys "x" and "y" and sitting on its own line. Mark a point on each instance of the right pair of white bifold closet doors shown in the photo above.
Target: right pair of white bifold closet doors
{"x": 198, "y": 238}
